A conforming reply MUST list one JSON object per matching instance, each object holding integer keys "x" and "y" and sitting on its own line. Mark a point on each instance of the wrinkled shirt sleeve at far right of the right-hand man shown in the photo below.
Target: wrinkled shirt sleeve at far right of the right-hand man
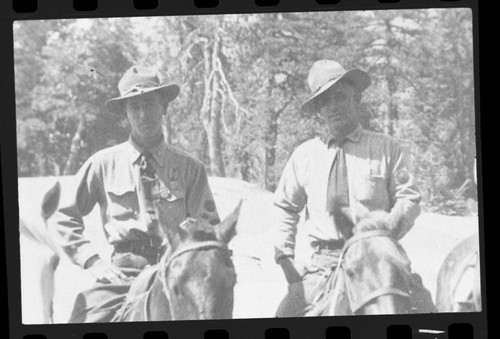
{"x": 404, "y": 194}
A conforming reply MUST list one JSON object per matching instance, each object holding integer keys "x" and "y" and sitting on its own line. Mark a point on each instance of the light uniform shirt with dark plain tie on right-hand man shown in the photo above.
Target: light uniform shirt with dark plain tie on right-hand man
{"x": 379, "y": 178}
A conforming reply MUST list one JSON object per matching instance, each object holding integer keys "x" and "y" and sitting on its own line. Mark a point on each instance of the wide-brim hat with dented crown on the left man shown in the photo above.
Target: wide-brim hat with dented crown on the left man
{"x": 138, "y": 81}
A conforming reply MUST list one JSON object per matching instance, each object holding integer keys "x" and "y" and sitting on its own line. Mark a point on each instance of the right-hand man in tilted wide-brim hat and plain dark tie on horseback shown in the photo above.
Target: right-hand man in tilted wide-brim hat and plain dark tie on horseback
{"x": 338, "y": 178}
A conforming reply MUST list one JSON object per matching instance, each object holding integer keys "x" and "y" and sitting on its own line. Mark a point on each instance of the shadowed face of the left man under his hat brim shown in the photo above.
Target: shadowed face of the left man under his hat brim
{"x": 144, "y": 112}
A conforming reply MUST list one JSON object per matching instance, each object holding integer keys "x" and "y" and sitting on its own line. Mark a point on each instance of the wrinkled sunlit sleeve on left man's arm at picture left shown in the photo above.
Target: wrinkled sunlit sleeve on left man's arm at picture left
{"x": 82, "y": 197}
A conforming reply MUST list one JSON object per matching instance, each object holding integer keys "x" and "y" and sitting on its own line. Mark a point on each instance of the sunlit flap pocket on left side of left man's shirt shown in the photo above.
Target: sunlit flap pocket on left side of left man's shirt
{"x": 123, "y": 203}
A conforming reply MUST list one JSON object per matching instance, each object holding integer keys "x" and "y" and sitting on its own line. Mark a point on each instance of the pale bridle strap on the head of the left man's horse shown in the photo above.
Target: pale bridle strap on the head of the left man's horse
{"x": 166, "y": 260}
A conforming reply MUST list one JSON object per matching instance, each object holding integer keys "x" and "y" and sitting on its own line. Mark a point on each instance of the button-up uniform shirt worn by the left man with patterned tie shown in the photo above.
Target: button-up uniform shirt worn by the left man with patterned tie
{"x": 111, "y": 178}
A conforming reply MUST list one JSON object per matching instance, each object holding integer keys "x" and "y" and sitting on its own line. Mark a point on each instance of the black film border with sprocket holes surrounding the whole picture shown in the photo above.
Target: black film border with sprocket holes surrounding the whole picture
{"x": 360, "y": 326}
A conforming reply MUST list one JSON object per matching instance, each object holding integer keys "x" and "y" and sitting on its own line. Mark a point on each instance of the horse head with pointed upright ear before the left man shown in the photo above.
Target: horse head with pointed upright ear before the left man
{"x": 197, "y": 272}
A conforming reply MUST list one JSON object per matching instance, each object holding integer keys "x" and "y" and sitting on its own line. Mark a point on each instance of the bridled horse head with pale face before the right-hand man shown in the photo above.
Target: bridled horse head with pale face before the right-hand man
{"x": 374, "y": 267}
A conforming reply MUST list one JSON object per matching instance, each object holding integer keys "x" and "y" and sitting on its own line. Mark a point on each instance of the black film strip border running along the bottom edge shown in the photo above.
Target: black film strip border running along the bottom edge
{"x": 429, "y": 326}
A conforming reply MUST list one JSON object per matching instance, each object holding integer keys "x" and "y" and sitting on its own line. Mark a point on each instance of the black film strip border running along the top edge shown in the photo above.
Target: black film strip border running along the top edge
{"x": 144, "y": 7}
